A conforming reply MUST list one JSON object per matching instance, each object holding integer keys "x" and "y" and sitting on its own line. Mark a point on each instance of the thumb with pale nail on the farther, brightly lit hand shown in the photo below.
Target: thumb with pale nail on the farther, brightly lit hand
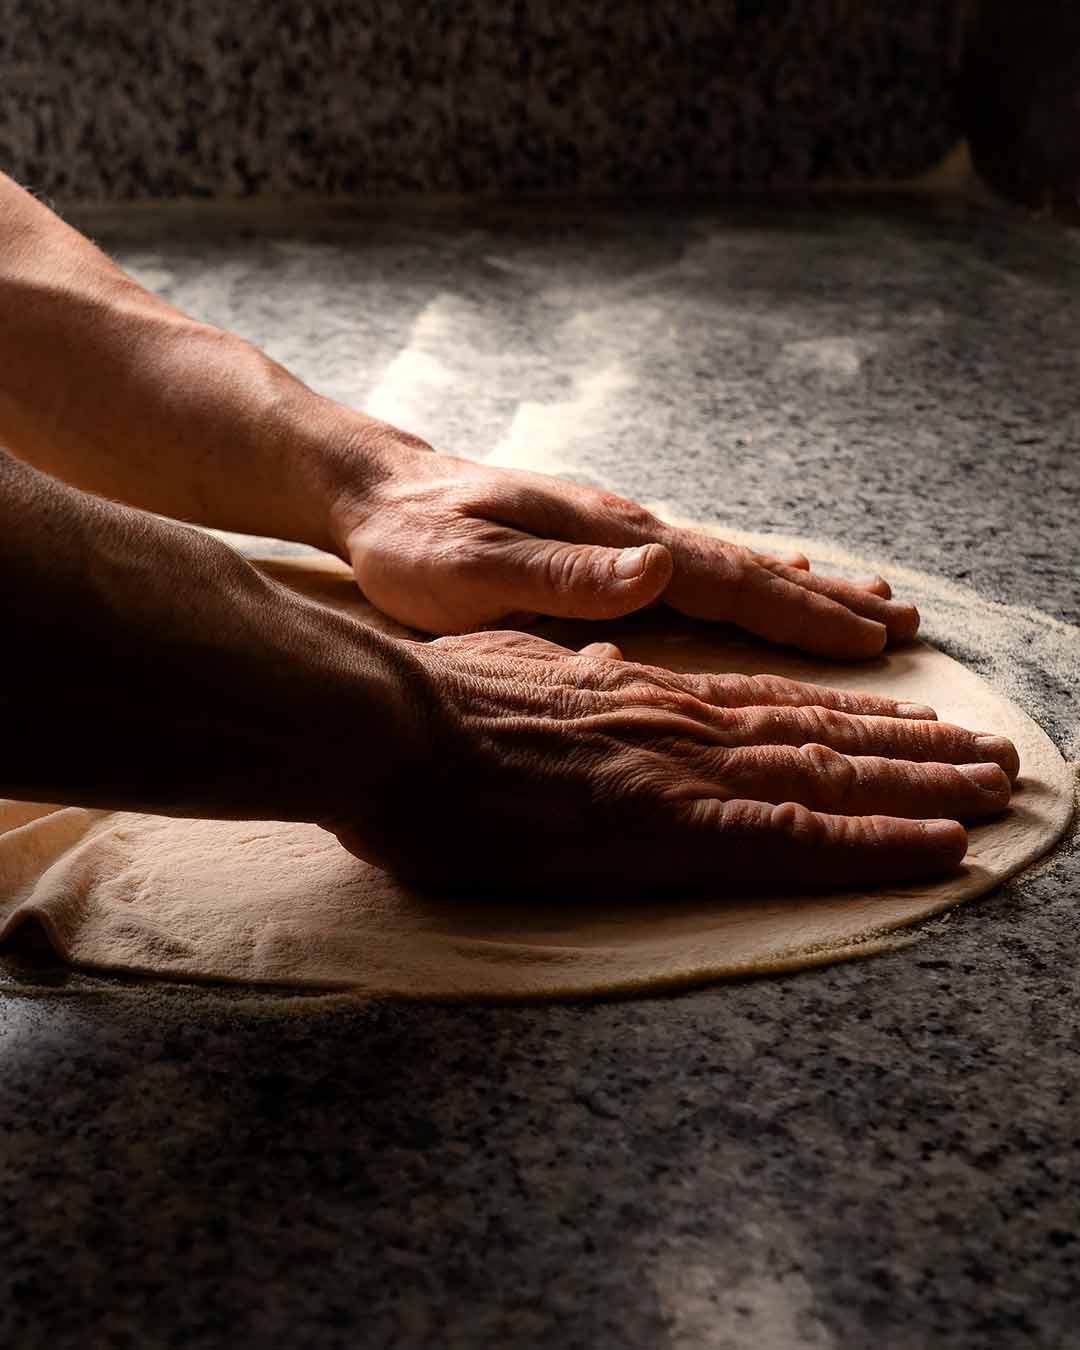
{"x": 585, "y": 581}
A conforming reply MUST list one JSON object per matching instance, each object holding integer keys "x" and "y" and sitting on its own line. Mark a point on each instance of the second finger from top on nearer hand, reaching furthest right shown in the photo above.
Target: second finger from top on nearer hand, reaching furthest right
{"x": 902, "y": 739}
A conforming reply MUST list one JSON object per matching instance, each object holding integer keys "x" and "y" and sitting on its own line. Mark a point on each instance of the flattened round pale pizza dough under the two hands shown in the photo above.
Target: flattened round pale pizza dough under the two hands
{"x": 283, "y": 904}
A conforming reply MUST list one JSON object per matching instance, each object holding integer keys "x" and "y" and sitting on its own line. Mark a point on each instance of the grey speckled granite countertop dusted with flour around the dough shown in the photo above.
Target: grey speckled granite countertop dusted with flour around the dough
{"x": 878, "y": 1154}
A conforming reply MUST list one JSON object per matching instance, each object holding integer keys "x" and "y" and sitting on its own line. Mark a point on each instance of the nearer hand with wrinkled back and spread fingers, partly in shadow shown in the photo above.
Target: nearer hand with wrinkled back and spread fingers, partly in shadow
{"x": 545, "y": 767}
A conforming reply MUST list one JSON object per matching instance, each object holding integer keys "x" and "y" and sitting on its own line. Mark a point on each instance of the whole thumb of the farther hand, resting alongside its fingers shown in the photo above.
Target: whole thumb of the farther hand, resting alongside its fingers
{"x": 518, "y": 572}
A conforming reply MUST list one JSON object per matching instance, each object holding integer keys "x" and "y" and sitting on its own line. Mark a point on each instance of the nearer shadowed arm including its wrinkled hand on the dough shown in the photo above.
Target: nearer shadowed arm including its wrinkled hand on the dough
{"x": 153, "y": 669}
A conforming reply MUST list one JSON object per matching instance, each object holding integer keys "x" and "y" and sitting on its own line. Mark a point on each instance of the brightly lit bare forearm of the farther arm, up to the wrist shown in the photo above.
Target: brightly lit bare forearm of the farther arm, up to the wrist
{"x": 113, "y": 389}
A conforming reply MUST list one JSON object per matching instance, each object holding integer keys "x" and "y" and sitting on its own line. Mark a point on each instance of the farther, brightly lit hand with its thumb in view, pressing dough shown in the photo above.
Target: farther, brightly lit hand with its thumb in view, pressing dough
{"x": 450, "y": 546}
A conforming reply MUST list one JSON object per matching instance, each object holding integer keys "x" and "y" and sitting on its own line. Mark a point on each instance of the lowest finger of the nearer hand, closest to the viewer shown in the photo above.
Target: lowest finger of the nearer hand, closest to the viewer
{"x": 754, "y": 842}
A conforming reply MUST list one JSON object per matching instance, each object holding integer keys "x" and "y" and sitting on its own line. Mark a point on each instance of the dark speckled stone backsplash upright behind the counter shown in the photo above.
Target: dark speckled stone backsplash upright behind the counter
{"x": 121, "y": 101}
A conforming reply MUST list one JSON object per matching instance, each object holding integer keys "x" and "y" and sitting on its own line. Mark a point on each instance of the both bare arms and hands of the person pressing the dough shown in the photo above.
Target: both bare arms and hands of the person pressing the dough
{"x": 159, "y": 672}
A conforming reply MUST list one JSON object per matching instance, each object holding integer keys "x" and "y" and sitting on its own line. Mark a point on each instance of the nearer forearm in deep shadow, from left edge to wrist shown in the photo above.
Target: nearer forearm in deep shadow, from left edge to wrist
{"x": 151, "y": 668}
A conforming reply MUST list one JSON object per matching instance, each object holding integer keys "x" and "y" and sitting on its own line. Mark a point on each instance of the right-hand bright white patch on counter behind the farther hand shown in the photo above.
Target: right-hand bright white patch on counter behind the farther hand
{"x": 542, "y": 435}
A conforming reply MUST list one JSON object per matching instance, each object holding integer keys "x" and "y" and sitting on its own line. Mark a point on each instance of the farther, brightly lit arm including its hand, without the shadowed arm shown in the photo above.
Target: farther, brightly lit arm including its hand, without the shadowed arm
{"x": 115, "y": 391}
